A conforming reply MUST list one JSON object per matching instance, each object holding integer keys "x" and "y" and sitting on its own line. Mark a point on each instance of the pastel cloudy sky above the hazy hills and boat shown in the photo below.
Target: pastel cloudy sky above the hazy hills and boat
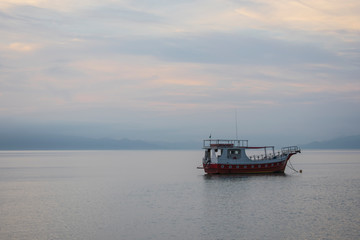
{"x": 284, "y": 72}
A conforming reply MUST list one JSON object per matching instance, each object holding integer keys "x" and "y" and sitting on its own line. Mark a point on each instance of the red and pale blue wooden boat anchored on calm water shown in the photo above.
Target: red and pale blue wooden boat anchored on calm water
{"x": 230, "y": 156}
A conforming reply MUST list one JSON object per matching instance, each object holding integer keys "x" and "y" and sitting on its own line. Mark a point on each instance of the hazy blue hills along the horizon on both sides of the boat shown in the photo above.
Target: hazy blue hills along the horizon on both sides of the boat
{"x": 32, "y": 140}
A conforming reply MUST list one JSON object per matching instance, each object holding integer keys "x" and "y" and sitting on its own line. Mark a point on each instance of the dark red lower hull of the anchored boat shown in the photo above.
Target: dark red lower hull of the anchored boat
{"x": 278, "y": 167}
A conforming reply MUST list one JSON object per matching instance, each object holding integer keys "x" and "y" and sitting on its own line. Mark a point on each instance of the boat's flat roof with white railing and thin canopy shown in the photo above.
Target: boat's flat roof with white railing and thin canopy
{"x": 226, "y": 143}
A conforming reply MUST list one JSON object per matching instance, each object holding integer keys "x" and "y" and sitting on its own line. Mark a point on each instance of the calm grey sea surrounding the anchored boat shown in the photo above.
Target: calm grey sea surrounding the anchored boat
{"x": 159, "y": 195}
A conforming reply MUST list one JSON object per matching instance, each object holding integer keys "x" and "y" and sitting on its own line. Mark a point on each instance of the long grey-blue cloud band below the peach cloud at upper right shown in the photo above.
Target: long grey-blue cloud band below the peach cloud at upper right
{"x": 224, "y": 48}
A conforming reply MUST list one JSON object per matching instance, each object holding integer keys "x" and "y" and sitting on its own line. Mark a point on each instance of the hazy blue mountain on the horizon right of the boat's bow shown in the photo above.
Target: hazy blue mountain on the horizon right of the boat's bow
{"x": 349, "y": 142}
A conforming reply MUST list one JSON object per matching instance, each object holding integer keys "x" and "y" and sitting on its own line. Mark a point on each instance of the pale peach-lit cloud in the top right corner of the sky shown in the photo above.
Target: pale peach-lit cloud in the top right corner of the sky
{"x": 306, "y": 15}
